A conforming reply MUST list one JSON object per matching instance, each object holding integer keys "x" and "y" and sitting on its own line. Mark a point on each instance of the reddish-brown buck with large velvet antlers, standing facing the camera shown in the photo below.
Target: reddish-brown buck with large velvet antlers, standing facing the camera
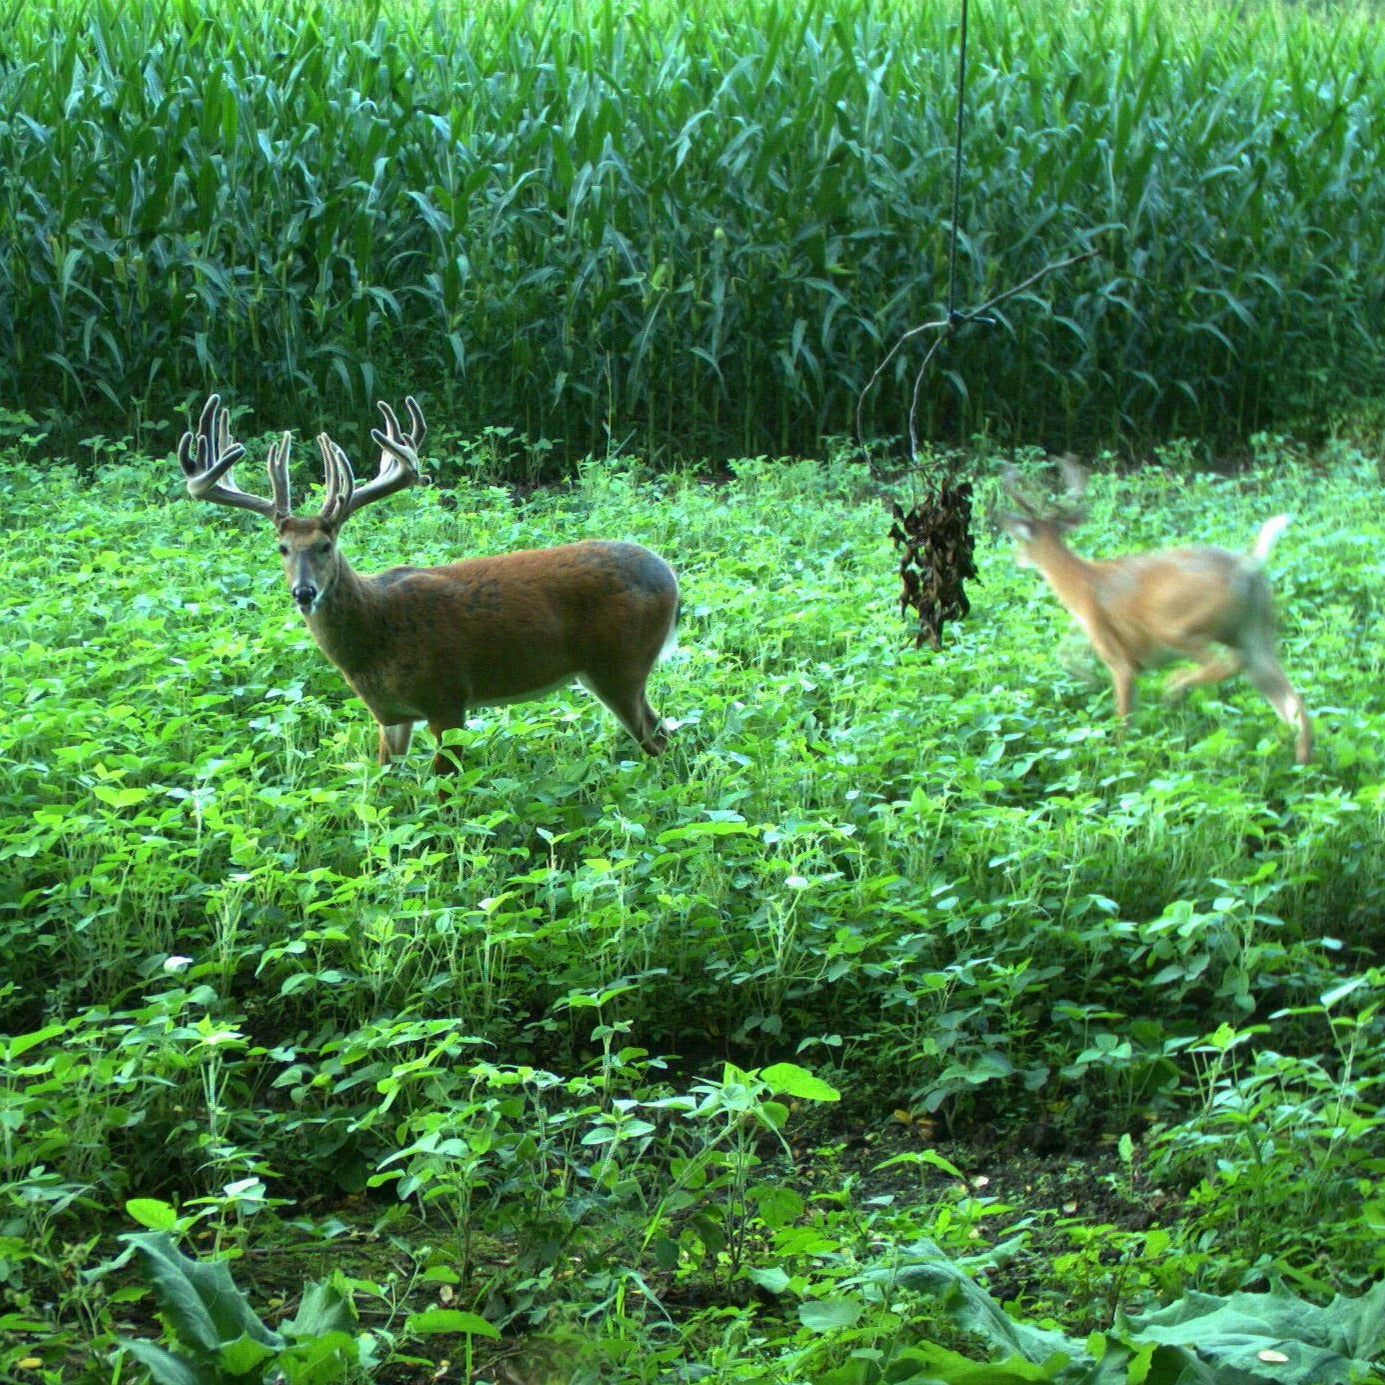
{"x": 426, "y": 645}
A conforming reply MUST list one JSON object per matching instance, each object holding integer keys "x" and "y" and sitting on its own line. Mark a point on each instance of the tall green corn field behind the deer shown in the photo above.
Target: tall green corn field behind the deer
{"x": 692, "y": 229}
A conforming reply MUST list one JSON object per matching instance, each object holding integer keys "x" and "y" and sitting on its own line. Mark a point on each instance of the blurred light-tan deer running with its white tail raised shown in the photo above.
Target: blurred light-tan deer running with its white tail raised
{"x": 1146, "y": 609}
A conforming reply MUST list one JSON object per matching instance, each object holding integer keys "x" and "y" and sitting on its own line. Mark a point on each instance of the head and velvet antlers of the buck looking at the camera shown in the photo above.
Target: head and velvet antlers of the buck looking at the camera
{"x": 308, "y": 545}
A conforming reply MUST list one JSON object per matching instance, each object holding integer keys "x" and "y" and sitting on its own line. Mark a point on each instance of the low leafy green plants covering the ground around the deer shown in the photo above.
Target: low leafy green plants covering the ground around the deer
{"x": 898, "y": 1020}
